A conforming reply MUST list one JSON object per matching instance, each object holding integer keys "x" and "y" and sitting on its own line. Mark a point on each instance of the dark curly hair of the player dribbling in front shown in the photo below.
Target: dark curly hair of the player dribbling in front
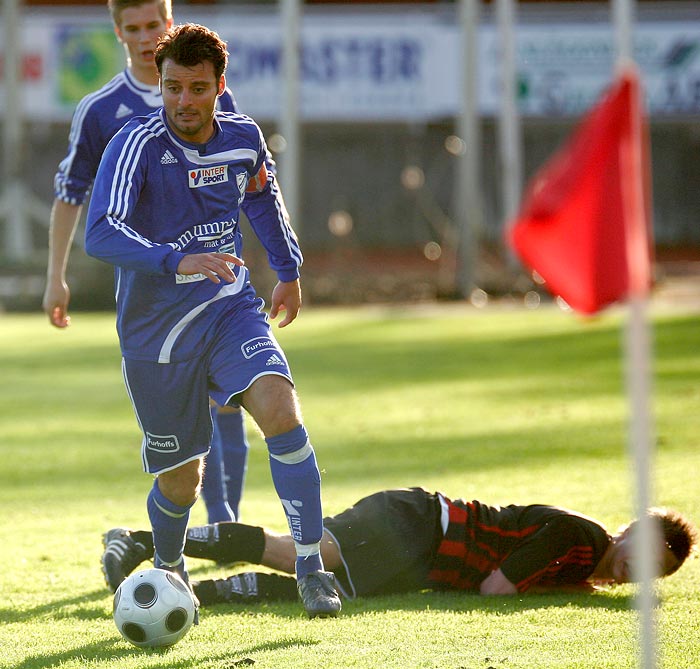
{"x": 190, "y": 44}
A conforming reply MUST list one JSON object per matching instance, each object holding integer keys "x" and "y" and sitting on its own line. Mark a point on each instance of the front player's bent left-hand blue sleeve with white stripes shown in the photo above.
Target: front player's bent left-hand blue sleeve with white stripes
{"x": 108, "y": 235}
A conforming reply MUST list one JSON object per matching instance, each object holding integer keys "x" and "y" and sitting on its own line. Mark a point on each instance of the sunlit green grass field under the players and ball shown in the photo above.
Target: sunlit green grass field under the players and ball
{"x": 503, "y": 405}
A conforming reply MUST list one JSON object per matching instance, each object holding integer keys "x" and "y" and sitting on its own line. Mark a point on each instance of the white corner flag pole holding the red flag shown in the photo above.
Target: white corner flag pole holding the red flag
{"x": 638, "y": 348}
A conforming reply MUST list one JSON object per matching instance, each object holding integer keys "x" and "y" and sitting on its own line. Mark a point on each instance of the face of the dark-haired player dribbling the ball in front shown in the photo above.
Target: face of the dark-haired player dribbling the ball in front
{"x": 189, "y": 98}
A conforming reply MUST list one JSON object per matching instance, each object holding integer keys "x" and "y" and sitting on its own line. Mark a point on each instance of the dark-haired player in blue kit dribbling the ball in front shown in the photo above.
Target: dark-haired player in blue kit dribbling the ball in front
{"x": 165, "y": 209}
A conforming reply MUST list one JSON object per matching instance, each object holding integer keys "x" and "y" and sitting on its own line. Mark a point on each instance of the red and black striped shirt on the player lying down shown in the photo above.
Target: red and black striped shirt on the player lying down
{"x": 532, "y": 545}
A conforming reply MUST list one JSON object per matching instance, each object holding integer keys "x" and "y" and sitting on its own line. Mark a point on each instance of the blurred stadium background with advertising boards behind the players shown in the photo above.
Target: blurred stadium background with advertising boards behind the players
{"x": 378, "y": 208}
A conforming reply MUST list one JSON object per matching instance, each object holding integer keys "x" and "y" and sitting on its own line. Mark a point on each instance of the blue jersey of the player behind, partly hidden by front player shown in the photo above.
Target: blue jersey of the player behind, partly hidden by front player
{"x": 97, "y": 118}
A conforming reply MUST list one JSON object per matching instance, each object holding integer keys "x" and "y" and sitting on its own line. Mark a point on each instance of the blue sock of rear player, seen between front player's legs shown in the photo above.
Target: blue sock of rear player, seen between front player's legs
{"x": 230, "y": 427}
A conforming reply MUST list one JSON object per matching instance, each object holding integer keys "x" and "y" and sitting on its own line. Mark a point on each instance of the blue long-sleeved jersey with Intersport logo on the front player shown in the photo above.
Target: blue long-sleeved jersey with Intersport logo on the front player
{"x": 157, "y": 198}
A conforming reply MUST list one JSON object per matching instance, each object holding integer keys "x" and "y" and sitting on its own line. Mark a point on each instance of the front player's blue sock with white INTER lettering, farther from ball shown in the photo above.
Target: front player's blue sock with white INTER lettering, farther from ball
{"x": 298, "y": 484}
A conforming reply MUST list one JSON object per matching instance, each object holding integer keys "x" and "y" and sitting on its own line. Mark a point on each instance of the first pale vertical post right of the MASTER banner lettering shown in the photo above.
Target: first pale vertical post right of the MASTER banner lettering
{"x": 468, "y": 211}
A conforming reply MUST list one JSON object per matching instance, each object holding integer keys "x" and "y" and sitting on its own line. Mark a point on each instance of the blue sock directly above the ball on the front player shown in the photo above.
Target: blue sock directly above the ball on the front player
{"x": 169, "y": 525}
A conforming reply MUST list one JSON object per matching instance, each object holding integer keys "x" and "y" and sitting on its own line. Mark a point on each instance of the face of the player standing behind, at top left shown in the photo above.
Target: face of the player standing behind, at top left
{"x": 139, "y": 29}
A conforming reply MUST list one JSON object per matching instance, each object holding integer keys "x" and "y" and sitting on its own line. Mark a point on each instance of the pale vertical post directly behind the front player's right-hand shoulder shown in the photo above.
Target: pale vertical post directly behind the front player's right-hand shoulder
{"x": 290, "y": 158}
